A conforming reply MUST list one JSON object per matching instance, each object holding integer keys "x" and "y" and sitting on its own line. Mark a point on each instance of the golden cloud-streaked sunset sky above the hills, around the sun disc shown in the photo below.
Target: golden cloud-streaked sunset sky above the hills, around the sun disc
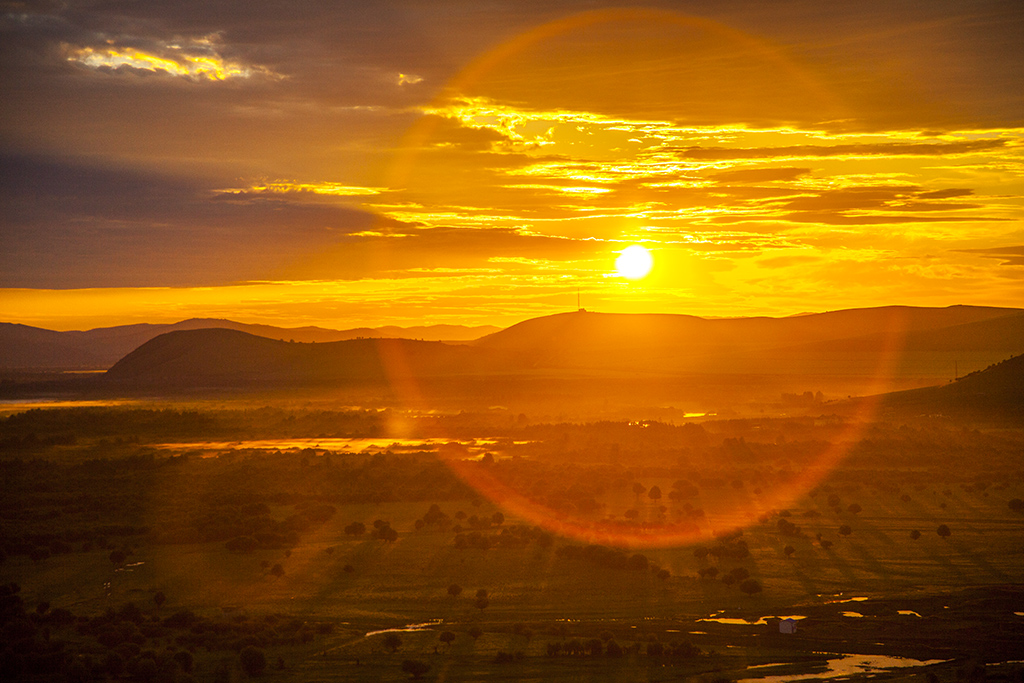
{"x": 351, "y": 164}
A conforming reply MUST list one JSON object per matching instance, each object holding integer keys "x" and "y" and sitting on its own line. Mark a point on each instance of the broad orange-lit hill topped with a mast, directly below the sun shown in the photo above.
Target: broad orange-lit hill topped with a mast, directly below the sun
{"x": 903, "y": 340}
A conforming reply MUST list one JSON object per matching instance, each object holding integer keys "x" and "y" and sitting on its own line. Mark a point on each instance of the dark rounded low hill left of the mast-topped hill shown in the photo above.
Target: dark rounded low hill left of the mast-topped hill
{"x": 220, "y": 358}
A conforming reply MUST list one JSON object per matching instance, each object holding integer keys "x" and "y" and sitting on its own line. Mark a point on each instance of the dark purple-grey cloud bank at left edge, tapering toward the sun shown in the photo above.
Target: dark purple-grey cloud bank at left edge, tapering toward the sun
{"x": 71, "y": 225}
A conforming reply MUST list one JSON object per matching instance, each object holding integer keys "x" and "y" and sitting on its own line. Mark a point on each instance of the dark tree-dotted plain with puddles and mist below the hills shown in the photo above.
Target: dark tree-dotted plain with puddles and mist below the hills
{"x": 258, "y": 548}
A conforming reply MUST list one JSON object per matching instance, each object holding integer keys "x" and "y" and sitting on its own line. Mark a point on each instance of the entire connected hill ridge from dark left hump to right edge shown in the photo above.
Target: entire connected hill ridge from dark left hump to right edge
{"x": 673, "y": 358}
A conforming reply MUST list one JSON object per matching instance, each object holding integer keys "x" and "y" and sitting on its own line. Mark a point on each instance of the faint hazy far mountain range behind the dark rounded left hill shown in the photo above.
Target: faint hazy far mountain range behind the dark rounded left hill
{"x": 27, "y": 348}
